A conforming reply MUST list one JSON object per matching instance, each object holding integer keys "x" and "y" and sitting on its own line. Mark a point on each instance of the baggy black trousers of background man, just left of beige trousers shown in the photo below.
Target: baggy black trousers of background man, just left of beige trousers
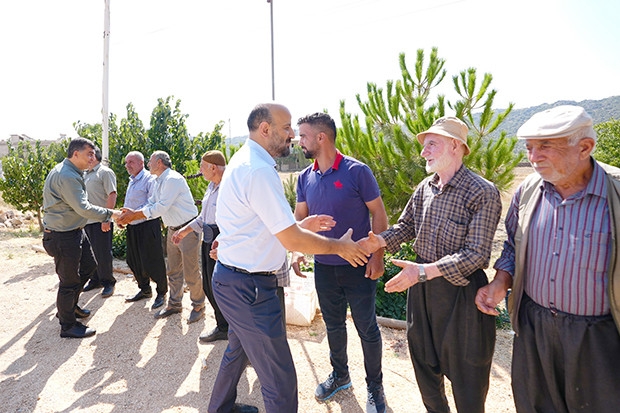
{"x": 145, "y": 255}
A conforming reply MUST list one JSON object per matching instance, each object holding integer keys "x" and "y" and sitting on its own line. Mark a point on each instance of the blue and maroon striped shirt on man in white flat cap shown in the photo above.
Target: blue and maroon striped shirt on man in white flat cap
{"x": 568, "y": 250}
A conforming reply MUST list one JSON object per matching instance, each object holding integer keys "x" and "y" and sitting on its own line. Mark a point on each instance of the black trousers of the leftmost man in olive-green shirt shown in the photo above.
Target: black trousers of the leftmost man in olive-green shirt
{"x": 75, "y": 264}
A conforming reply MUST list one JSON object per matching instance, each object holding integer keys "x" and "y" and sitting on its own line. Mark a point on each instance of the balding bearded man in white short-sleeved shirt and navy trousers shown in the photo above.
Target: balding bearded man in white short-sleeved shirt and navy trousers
{"x": 256, "y": 228}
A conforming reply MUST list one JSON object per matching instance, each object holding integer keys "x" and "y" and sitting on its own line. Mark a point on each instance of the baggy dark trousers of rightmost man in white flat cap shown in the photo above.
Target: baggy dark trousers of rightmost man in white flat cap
{"x": 565, "y": 363}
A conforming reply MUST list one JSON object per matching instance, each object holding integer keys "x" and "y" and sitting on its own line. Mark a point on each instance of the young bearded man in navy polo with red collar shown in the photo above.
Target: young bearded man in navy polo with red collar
{"x": 346, "y": 189}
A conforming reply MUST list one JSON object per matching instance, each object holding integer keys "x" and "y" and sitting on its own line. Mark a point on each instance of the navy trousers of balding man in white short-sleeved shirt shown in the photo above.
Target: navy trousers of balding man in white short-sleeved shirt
{"x": 255, "y": 333}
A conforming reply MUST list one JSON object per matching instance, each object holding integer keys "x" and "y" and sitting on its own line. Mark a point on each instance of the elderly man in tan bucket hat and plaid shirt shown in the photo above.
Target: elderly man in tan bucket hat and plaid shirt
{"x": 452, "y": 216}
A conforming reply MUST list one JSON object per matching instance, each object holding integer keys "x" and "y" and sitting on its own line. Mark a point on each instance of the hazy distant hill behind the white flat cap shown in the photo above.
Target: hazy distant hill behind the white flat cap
{"x": 600, "y": 110}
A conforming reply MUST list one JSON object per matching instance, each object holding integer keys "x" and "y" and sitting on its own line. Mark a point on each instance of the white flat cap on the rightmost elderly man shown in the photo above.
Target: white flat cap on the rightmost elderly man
{"x": 558, "y": 122}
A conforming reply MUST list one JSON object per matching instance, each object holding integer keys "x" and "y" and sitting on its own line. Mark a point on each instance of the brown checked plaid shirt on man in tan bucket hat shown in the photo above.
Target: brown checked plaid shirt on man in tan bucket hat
{"x": 453, "y": 227}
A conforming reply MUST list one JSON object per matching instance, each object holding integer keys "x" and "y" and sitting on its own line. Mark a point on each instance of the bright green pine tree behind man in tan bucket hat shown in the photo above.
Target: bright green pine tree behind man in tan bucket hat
{"x": 386, "y": 142}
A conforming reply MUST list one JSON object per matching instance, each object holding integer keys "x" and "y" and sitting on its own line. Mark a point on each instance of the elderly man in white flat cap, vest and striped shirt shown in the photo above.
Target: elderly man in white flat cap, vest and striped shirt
{"x": 561, "y": 260}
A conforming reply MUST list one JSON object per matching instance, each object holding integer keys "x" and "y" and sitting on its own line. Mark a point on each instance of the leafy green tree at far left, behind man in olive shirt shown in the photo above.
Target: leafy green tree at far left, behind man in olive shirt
{"x": 25, "y": 169}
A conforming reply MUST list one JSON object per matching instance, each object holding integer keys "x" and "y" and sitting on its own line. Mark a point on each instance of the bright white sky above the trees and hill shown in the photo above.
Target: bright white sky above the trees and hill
{"x": 215, "y": 56}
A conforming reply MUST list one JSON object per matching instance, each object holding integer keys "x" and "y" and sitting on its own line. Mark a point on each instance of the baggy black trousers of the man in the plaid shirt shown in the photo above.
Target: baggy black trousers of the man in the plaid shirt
{"x": 449, "y": 337}
